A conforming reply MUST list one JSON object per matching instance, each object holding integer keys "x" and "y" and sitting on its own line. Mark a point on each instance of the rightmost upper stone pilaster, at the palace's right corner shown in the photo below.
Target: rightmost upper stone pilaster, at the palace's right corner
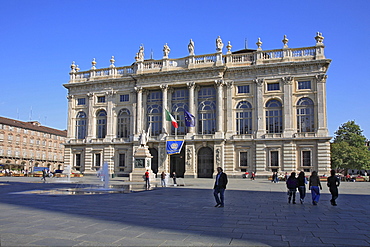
{"x": 320, "y": 115}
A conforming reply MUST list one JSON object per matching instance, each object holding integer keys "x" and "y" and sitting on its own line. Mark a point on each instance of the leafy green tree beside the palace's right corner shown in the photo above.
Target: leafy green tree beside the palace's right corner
{"x": 348, "y": 150}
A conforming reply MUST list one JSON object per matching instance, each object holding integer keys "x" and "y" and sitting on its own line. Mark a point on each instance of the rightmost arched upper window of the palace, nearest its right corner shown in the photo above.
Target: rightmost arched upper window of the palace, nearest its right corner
{"x": 305, "y": 115}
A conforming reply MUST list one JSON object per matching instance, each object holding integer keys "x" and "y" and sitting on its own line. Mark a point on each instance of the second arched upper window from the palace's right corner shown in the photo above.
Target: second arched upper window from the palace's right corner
{"x": 274, "y": 117}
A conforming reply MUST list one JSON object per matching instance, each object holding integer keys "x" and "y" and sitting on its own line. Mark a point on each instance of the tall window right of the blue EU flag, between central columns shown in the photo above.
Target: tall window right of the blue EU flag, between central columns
{"x": 207, "y": 110}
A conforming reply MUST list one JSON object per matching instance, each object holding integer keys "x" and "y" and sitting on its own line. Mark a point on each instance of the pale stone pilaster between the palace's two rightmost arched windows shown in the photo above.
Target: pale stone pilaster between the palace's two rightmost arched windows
{"x": 288, "y": 107}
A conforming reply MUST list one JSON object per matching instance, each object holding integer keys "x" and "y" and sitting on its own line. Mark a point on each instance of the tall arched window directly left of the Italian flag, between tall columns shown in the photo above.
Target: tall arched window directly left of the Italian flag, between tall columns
{"x": 154, "y": 111}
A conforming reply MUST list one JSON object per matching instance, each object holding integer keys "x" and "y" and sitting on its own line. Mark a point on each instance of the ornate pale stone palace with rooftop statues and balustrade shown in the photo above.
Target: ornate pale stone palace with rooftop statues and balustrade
{"x": 255, "y": 110}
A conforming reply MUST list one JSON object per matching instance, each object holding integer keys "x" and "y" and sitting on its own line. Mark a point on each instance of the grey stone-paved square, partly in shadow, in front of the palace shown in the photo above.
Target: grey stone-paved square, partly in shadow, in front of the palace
{"x": 256, "y": 213}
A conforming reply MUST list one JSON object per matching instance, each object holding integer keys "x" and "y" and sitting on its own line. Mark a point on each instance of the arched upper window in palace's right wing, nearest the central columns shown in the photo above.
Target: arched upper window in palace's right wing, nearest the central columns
{"x": 244, "y": 118}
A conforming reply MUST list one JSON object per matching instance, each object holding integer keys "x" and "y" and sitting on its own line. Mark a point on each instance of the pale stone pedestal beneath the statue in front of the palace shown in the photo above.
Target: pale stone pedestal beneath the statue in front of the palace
{"x": 142, "y": 163}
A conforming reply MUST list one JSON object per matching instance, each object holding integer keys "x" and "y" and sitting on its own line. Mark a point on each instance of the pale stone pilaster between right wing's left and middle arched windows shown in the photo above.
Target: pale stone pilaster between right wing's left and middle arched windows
{"x": 258, "y": 123}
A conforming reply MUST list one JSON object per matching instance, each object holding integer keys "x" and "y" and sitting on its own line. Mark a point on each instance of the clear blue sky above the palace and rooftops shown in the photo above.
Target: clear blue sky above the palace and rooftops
{"x": 40, "y": 39}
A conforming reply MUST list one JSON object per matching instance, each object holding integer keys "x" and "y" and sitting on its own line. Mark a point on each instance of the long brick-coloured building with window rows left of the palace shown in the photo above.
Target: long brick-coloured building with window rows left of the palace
{"x": 24, "y": 145}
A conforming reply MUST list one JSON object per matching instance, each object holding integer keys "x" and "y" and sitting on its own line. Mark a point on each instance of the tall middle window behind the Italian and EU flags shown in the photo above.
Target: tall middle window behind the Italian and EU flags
{"x": 180, "y": 99}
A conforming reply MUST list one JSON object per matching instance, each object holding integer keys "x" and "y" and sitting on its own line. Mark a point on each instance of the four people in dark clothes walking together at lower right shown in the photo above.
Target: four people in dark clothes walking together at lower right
{"x": 293, "y": 183}
